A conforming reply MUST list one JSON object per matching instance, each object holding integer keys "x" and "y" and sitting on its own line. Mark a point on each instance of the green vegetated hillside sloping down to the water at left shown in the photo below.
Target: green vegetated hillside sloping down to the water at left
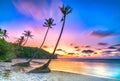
{"x": 9, "y": 51}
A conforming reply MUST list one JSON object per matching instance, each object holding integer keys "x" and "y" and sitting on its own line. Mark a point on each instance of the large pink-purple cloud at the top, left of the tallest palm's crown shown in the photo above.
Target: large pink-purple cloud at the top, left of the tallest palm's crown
{"x": 37, "y": 9}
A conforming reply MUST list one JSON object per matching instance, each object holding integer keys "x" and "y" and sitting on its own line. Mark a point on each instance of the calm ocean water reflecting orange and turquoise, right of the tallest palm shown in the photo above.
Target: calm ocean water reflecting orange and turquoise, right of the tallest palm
{"x": 109, "y": 68}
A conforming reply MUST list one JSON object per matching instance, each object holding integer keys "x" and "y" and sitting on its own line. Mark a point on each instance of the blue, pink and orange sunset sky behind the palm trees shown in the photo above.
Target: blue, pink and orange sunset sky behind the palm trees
{"x": 91, "y": 30}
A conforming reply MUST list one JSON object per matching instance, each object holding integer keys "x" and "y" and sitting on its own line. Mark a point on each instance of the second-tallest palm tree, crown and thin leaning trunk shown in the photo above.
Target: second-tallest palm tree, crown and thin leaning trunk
{"x": 48, "y": 23}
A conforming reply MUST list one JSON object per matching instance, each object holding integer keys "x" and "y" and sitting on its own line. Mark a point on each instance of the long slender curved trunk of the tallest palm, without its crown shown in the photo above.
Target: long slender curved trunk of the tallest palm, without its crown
{"x": 47, "y": 64}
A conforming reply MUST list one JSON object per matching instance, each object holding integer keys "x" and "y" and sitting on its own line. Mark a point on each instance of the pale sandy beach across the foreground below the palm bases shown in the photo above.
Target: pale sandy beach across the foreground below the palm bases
{"x": 8, "y": 73}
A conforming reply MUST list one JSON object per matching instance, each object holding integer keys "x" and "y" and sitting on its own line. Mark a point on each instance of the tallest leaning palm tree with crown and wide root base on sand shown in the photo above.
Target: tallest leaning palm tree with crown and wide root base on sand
{"x": 65, "y": 11}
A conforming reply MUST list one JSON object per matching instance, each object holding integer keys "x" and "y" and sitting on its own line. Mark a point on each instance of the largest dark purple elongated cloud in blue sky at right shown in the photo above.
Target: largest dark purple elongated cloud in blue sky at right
{"x": 102, "y": 34}
